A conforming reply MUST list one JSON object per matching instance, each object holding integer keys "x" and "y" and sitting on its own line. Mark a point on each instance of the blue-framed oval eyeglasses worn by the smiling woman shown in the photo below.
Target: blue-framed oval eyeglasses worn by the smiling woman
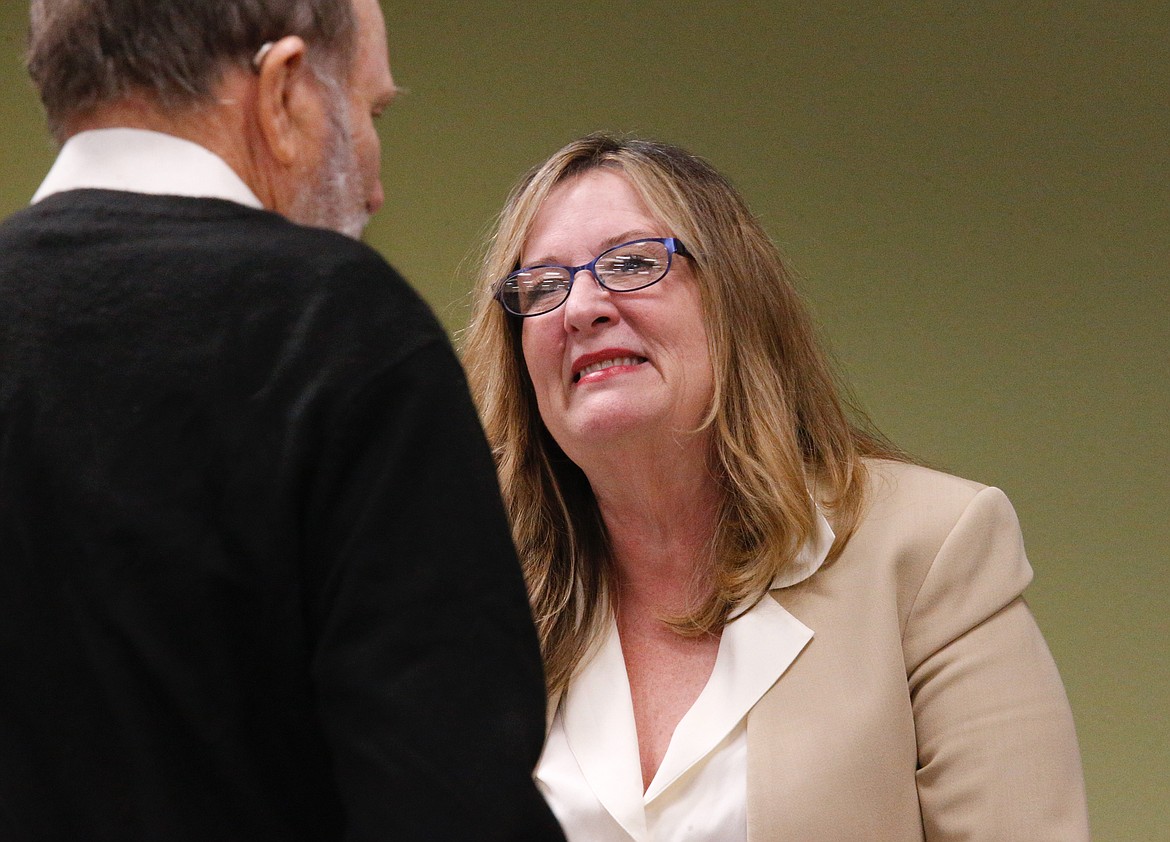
{"x": 625, "y": 268}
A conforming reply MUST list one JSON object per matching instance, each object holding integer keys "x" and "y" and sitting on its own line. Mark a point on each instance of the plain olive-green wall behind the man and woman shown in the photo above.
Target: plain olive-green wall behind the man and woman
{"x": 976, "y": 198}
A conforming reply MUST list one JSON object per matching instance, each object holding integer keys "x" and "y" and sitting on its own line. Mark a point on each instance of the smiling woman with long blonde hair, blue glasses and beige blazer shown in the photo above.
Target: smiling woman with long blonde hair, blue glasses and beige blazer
{"x": 760, "y": 620}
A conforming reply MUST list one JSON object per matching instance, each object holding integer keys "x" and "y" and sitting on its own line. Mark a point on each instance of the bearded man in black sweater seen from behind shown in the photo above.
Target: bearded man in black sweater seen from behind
{"x": 256, "y": 578}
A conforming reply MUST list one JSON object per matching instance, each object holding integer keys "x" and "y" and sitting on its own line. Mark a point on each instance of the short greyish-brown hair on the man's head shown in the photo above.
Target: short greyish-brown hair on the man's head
{"x": 84, "y": 54}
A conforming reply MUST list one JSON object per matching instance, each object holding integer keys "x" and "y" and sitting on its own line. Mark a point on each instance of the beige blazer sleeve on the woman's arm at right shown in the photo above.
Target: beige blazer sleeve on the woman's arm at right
{"x": 997, "y": 749}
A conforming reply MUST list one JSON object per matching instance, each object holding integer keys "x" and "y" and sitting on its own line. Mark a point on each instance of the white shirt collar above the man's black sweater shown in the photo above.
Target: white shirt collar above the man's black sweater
{"x": 143, "y": 162}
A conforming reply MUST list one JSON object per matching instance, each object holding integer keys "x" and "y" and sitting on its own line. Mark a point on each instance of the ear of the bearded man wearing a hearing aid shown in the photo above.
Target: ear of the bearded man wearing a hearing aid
{"x": 288, "y": 105}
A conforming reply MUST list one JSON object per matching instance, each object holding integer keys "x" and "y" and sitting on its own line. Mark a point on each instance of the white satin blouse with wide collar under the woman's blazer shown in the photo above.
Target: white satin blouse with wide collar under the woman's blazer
{"x": 590, "y": 771}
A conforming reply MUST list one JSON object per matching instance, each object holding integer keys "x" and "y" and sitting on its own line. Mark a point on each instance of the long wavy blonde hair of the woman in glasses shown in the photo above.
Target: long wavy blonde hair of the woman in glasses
{"x": 777, "y": 420}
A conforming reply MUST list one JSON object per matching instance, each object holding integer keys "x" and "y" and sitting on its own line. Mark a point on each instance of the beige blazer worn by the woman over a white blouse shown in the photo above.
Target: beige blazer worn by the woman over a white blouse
{"x": 927, "y": 706}
